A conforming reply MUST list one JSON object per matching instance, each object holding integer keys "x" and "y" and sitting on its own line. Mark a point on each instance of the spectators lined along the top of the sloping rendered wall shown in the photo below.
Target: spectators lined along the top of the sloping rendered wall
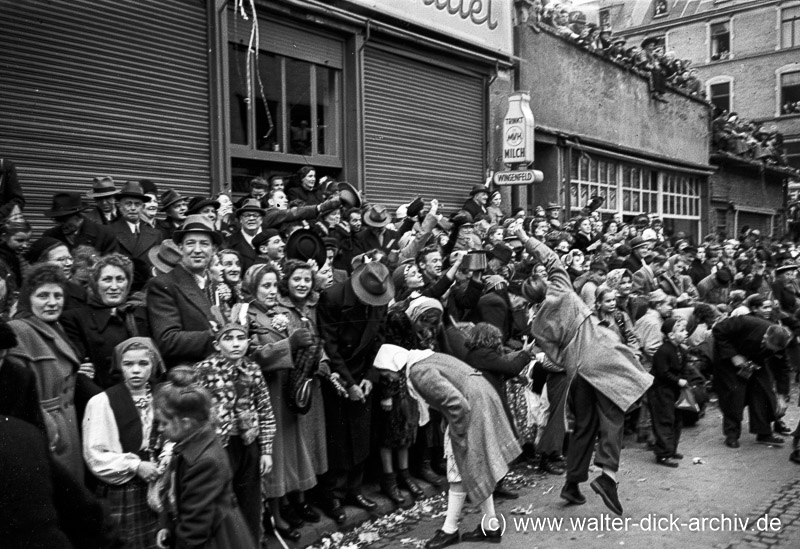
{"x": 662, "y": 68}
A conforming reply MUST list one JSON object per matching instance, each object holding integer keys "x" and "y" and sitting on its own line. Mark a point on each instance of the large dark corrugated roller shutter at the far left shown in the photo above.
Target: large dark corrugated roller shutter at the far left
{"x": 104, "y": 88}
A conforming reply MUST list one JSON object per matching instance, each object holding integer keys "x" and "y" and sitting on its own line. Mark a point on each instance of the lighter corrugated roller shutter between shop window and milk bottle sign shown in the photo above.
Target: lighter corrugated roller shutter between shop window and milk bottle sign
{"x": 424, "y": 131}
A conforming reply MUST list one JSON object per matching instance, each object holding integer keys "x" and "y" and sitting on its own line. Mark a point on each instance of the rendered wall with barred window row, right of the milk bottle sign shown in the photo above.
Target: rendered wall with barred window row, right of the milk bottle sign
{"x": 599, "y": 132}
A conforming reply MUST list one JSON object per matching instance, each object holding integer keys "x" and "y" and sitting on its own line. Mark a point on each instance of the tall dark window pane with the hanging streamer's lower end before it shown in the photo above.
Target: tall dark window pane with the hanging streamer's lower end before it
{"x": 269, "y": 124}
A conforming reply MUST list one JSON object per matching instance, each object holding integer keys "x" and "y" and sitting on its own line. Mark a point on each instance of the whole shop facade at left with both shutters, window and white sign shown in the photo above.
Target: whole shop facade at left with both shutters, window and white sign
{"x": 202, "y": 95}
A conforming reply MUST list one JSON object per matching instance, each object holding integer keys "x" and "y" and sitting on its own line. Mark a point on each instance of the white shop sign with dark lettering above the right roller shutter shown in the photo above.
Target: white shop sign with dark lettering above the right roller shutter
{"x": 484, "y": 23}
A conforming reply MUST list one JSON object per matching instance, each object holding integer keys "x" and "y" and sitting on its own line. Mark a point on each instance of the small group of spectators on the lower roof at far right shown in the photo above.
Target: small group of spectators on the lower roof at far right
{"x": 747, "y": 139}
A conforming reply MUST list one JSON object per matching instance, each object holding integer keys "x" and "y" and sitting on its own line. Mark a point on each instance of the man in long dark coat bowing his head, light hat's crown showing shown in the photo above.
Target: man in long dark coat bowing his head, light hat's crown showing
{"x": 351, "y": 317}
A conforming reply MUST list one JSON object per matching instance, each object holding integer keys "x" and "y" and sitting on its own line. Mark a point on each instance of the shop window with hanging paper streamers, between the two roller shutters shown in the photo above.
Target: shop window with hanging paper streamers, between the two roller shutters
{"x": 285, "y": 103}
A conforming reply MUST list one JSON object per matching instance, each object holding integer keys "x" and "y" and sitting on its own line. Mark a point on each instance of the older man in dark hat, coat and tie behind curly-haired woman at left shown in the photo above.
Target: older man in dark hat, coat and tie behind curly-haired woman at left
{"x": 135, "y": 238}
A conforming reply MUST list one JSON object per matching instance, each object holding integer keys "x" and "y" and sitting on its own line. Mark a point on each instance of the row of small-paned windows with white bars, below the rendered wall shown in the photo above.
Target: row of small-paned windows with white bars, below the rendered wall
{"x": 630, "y": 189}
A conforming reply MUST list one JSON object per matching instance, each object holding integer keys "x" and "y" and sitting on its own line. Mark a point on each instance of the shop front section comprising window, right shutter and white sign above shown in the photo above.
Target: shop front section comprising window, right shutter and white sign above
{"x": 398, "y": 112}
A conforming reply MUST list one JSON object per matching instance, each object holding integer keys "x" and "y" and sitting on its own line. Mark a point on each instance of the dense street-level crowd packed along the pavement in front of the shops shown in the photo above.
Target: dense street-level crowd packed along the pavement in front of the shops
{"x": 199, "y": 377}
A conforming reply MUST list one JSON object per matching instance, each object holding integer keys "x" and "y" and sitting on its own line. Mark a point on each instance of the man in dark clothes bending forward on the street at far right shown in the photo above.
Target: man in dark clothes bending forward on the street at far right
{"x": 748, "y": 350}
